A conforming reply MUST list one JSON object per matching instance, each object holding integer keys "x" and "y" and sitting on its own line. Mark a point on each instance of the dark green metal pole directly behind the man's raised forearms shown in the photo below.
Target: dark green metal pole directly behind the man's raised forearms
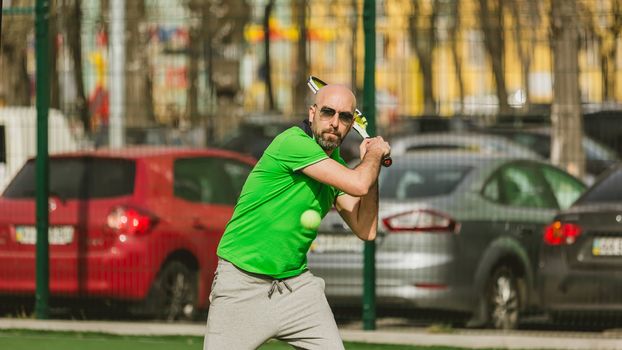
{"x": 369, "y": 98}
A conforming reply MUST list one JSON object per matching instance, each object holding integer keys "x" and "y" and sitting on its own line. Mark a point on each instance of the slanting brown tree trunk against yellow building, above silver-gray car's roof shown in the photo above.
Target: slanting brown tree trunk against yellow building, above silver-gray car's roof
{"x": 491, "y": 19}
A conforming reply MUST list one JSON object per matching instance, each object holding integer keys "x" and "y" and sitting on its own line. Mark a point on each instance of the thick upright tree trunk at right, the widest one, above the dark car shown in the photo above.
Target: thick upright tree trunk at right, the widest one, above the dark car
{"x": 567, "y": 126}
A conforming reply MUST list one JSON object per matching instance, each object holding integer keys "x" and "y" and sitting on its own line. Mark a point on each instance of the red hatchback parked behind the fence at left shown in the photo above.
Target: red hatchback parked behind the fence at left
{"x": 139, "y": 225}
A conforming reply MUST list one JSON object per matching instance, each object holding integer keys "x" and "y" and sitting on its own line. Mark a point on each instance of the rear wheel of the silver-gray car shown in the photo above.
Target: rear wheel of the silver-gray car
{"x": 503, "y": 299}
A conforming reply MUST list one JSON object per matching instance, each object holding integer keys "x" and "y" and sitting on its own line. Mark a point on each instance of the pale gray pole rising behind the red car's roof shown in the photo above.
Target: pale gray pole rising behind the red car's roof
{"x": 116, "y": 131}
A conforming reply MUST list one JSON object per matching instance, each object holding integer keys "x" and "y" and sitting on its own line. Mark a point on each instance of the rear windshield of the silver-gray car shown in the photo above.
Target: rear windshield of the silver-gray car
{"x": 423, "y": 180}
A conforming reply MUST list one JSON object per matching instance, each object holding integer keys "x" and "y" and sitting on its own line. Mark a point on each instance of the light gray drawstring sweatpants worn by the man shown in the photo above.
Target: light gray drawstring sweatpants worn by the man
{"x": 248, "y": 309}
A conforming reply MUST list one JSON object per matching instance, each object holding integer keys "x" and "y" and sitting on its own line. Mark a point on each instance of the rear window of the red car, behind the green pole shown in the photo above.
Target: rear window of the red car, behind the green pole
{"x": 73, "y": 178}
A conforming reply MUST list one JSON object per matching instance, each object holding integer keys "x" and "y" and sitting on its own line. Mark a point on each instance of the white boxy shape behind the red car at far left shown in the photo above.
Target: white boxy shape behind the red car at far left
{"x": 18, "y": 138}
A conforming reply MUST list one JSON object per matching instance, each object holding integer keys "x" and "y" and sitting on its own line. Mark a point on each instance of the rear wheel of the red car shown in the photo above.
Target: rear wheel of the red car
{"x": 174, "y": 293}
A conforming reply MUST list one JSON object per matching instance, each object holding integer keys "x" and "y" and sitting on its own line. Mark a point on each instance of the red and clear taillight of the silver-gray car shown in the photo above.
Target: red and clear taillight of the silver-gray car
{"x": 421, "y": 220}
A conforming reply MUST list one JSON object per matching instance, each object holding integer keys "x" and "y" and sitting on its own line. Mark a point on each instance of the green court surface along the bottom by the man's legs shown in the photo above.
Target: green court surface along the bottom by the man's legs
{"x": 43, "y": 340}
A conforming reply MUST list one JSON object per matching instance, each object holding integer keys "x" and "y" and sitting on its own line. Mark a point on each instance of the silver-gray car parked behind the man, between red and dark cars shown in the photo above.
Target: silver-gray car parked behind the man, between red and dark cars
{"x": 458, "y": 231}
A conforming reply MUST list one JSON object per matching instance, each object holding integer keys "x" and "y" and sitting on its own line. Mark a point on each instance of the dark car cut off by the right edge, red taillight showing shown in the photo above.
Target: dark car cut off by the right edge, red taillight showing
{"x": 581, "y": 264}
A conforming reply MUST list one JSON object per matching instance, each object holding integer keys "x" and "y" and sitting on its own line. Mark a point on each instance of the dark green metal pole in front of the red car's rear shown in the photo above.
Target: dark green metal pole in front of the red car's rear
{"x": 42, "y": 162}
